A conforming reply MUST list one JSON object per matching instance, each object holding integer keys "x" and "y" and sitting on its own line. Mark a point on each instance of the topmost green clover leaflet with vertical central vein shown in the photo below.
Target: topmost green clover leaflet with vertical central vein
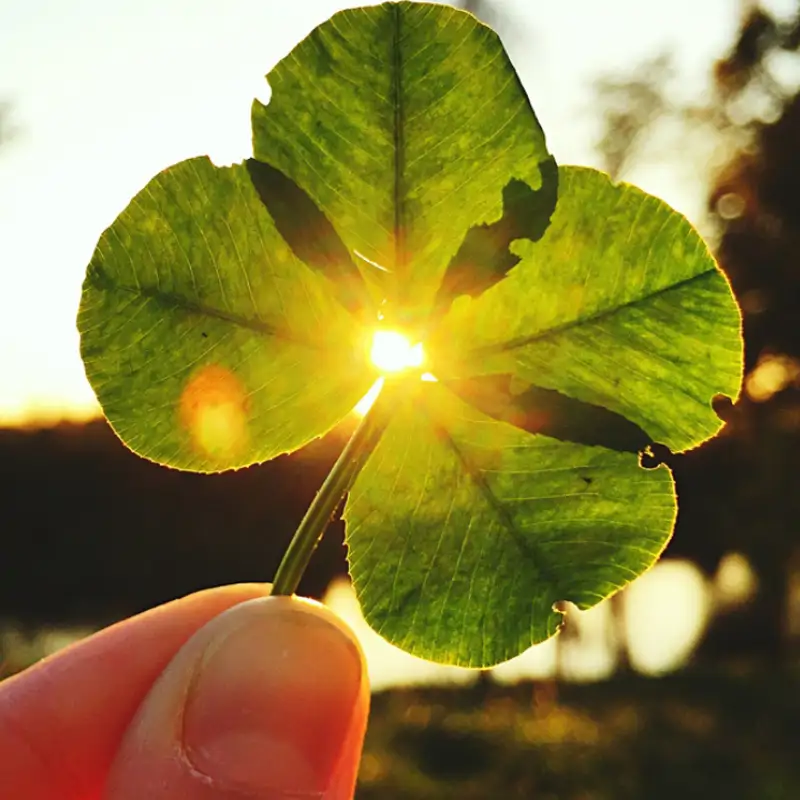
{"x": 405, "y": 123}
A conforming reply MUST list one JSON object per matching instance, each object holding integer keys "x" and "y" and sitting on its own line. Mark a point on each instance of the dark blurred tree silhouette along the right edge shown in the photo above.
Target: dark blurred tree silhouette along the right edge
{"x": 739, "y": 492}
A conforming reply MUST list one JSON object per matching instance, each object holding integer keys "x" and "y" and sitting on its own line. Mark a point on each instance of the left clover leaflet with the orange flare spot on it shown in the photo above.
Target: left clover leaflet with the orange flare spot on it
{"x": 209, "y": 344}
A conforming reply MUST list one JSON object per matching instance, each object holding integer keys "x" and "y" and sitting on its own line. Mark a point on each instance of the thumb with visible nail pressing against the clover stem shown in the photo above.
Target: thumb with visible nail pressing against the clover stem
{"x": 269, "y": 700}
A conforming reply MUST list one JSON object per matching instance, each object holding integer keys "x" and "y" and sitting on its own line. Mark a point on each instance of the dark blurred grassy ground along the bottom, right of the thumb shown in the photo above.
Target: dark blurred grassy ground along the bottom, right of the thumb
{"x": 732, "y": 734}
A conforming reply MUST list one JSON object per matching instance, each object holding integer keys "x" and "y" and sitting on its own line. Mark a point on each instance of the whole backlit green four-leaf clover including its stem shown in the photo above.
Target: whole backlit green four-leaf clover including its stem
{"x": 563, "y": 326}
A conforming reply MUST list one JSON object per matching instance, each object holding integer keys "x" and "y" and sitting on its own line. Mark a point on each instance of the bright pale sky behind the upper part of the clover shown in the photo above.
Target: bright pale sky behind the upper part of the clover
{"x": 105, "y": 93}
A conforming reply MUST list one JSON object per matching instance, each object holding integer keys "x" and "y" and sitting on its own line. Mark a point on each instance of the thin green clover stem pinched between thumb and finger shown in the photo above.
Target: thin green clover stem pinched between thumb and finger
{"x": 339, "y": 481}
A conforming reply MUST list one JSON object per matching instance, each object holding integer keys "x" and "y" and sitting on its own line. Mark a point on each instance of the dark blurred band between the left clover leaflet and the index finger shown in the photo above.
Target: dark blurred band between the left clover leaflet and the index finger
{"x": 92, "y": 533}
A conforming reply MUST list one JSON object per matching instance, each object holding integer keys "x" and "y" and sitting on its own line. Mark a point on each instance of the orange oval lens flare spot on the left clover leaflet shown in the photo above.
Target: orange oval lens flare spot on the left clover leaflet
{"x": 213, "y": 409}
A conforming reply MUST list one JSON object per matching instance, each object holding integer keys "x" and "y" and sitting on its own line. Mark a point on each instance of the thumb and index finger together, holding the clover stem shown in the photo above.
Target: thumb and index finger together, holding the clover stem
{"x": 224, "y": 695}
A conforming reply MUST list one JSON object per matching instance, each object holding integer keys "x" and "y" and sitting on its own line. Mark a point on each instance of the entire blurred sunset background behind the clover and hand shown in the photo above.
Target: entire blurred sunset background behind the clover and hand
{"x": 688, "y": 680}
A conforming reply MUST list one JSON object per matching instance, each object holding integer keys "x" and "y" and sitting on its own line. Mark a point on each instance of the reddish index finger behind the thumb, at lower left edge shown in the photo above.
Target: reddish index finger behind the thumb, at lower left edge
{"x": 62, "y": 720}
